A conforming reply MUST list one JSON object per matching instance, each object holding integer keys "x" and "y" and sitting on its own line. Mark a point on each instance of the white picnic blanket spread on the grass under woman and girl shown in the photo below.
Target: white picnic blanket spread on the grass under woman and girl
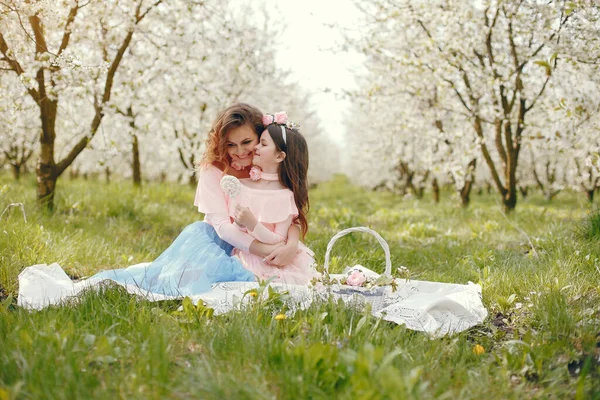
{"x": 433, "y": 307}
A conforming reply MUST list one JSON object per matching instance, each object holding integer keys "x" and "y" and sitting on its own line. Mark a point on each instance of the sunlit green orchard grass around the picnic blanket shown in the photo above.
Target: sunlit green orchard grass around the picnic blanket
{"x": 541, "y": 339}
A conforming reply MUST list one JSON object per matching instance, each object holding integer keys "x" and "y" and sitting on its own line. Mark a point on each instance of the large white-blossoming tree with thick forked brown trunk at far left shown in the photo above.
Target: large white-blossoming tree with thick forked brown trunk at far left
{"x": 49, "y": 46}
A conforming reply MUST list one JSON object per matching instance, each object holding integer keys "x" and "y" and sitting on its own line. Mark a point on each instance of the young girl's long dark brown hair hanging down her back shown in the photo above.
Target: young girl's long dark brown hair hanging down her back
{"x": 293, "y": 170}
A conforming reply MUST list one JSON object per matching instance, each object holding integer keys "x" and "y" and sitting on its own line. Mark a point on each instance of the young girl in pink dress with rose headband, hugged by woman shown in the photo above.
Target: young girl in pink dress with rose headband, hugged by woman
{"x": 273, "y": 198}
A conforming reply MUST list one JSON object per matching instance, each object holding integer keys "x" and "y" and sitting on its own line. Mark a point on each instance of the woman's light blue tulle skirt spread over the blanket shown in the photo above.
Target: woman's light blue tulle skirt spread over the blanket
{"x": 194, "y": 261}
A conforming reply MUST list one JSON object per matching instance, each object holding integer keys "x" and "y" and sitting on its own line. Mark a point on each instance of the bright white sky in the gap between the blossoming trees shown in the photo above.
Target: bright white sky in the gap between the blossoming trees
{"x": 311, "y": 53}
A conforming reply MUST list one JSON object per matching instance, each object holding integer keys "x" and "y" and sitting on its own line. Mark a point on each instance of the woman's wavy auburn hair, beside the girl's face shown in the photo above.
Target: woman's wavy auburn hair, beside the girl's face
{"x": 236, "y": 115}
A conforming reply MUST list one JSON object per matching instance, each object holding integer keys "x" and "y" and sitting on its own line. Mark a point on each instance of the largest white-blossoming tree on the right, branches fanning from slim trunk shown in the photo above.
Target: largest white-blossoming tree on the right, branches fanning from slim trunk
{"x": 495, "y": 58}
